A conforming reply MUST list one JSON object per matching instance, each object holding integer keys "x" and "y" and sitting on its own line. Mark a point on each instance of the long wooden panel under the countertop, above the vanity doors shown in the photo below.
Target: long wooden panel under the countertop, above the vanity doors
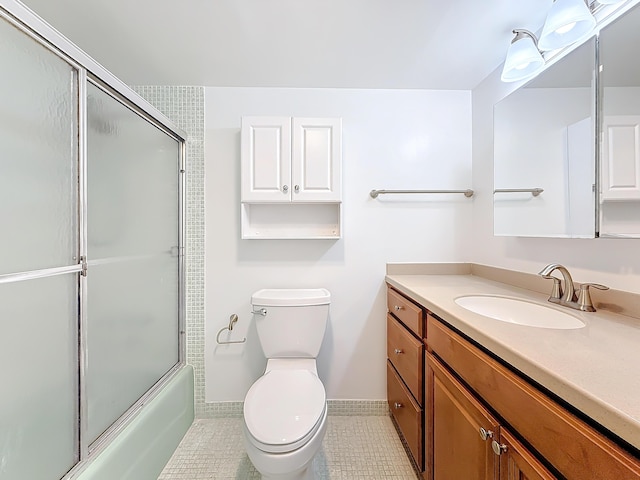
{"x": 574, "y": 448}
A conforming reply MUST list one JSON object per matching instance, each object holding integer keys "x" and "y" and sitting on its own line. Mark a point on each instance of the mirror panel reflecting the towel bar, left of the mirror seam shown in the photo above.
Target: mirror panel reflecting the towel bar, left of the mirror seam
{"x": 544, "y": 152}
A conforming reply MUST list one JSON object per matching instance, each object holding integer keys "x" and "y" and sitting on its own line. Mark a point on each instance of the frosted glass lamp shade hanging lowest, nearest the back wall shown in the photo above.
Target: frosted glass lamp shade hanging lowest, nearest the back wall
{"x": 523, "y": 57}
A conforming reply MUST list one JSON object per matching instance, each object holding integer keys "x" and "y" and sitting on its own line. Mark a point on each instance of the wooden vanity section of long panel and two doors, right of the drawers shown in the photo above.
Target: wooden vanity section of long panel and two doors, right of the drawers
{"x": 470, "y": 388}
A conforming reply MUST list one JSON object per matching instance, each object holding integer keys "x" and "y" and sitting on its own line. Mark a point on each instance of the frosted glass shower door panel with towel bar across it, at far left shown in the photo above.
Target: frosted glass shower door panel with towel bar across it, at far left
{"x": 38, "y": 259}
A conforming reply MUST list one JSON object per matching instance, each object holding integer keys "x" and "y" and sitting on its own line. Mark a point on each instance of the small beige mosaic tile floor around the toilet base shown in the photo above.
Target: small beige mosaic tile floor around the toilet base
{"x": 354, "y": 448}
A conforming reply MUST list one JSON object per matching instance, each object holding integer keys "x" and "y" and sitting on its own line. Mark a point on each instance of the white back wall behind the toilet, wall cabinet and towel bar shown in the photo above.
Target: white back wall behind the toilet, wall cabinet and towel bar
{"x": 392, "y": 139}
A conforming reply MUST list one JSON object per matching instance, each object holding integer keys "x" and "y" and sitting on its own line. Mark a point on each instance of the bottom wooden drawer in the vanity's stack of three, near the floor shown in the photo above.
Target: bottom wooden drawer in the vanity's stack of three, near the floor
{"x": 406, "y": 412}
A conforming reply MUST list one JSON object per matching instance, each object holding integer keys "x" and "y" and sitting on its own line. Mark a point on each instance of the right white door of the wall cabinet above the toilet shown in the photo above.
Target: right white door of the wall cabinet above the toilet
{"x": 316, "y": 160}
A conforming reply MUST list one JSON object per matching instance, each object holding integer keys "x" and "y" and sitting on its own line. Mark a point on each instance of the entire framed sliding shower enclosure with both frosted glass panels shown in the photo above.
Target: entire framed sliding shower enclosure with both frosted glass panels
{"x": 91, "y": 252}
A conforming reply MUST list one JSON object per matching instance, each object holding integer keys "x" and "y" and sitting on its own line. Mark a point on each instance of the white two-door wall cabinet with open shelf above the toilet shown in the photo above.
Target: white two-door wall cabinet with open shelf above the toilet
{"x": 291, "y": 178}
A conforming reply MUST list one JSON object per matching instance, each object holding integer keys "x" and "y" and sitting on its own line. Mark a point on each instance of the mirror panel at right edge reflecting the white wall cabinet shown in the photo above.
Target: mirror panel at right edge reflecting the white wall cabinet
{"x": 619, "y": 187}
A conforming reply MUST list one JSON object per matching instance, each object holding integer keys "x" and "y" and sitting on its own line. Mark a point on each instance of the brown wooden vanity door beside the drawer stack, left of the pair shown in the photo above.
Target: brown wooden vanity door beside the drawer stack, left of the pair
{"x": 456, "y": 419}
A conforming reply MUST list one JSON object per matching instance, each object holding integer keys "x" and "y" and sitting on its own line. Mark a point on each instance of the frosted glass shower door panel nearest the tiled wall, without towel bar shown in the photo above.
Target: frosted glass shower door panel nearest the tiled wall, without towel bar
{"x": 132, "y": 281}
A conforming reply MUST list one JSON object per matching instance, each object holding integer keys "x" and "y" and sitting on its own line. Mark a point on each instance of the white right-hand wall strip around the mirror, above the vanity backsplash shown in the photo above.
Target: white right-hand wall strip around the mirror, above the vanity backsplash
{"x": 614, "y": 262}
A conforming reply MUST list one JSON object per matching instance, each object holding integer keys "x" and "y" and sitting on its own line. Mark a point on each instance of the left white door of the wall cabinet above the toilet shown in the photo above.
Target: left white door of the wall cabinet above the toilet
{"x": 265, "y": 150}
